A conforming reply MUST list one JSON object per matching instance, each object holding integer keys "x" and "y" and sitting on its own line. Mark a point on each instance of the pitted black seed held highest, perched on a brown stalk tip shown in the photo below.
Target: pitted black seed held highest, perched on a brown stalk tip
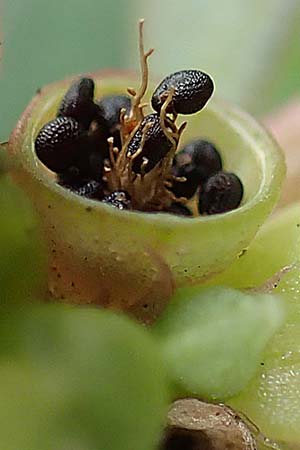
{"x": 192, "y": 90}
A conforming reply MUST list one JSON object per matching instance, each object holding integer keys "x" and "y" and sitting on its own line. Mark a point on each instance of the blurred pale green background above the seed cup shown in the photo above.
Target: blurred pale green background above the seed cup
{"x": 252, "y": 49}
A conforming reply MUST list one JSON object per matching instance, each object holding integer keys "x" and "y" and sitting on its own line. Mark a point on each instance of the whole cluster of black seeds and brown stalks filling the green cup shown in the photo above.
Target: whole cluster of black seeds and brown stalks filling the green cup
{"x": 107, "y": 149}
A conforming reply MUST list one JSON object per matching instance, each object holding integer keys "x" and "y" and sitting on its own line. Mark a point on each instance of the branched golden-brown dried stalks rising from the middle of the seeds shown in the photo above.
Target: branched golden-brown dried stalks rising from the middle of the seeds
{"x": 148, "y": 187}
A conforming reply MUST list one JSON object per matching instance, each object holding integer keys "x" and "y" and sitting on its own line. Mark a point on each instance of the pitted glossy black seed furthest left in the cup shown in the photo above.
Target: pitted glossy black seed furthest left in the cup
{"x": 59, "y": 142}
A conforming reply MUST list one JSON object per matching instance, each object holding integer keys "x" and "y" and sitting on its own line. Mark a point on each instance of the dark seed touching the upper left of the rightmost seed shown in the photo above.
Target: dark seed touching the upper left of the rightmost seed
{"x": 197, "y": 161}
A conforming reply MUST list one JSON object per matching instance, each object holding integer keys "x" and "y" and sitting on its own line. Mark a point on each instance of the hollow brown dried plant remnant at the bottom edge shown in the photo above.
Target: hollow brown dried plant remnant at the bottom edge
{"x": 196, "y": 425}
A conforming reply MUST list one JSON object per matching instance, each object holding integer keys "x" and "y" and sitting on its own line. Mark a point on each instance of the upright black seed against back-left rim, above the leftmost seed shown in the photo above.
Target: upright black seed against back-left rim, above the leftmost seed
{"x": 78, "y": 102}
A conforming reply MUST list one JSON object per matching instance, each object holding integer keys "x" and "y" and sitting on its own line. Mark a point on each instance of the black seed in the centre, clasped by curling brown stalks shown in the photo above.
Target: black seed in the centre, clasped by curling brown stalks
{"x": 156, "y": 144}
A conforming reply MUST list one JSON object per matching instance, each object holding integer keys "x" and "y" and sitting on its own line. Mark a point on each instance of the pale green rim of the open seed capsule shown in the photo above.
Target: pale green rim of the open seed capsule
{"x": 270, "y": 159}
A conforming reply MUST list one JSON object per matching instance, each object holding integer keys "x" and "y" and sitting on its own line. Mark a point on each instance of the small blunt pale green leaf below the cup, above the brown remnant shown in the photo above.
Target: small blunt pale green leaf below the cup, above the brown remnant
{"x": 213, "y": 339}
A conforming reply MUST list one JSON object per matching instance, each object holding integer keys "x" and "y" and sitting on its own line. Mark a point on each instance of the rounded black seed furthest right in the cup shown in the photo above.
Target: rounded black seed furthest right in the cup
{"x": 222, "y": 192}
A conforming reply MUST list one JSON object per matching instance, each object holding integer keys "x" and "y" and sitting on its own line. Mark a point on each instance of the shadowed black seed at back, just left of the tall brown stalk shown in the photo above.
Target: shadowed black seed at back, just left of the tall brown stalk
{"x": 109, "y": 114}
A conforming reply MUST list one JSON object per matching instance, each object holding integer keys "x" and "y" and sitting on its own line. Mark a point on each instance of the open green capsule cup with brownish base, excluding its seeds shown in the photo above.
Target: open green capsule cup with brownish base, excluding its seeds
{"x": 132, "y": 260}
